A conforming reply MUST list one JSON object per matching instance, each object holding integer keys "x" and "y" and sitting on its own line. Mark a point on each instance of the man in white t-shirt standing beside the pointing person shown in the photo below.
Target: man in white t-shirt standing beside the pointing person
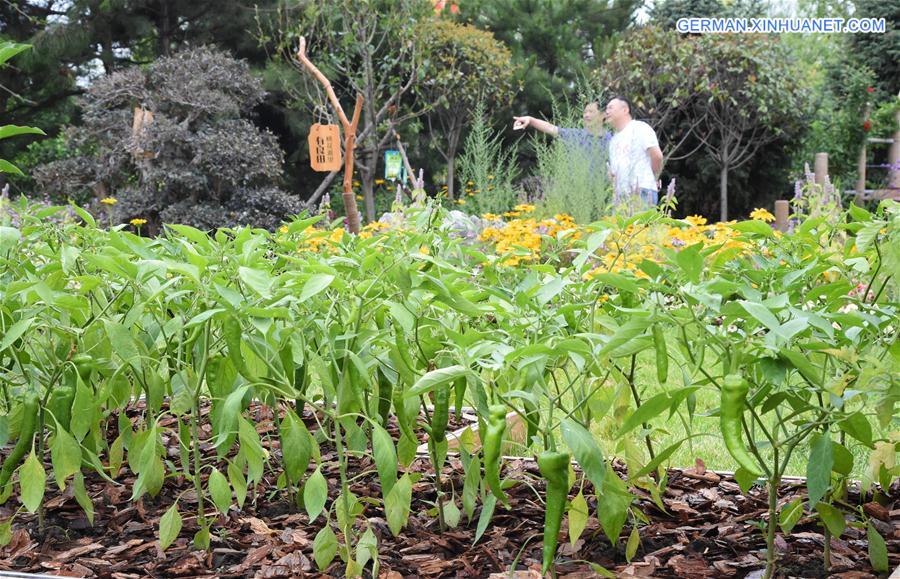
{"x": 635, "y": 159}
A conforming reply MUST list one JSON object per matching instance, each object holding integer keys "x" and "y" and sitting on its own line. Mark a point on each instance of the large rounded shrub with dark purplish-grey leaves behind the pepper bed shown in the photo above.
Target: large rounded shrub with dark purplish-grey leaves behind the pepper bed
{"x": 195, "y": 161}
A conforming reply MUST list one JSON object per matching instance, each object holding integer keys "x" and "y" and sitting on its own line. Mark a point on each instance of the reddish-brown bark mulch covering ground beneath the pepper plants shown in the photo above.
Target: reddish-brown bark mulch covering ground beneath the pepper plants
{"x": 708, "y": 529}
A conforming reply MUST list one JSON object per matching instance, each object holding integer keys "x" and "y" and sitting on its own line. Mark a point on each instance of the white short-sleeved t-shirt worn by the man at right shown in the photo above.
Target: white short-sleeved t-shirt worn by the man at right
{"x": 629, "y": 160}
